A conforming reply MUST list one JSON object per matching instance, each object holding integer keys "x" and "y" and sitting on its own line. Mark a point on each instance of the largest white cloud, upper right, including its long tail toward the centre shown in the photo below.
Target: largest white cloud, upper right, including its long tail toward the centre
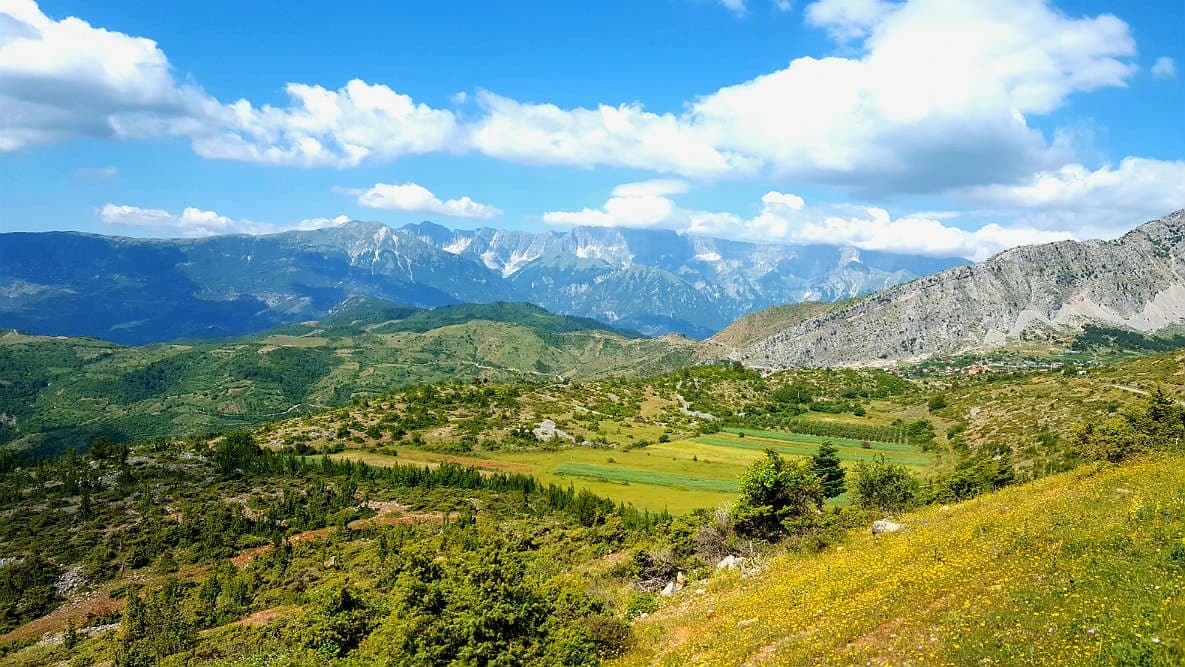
{"x": 937, "y": 99}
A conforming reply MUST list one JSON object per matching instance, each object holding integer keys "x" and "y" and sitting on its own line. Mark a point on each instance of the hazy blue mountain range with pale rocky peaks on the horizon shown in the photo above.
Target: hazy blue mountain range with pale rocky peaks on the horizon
{"x": 144, "y": 291}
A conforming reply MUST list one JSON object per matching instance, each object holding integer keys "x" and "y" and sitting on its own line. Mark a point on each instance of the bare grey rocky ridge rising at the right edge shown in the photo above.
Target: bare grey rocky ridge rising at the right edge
{"x": 1137, "y": 281}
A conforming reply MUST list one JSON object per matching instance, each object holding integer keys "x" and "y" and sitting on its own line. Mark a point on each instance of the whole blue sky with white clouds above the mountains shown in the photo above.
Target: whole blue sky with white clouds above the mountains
{"x": 937, "y": 127}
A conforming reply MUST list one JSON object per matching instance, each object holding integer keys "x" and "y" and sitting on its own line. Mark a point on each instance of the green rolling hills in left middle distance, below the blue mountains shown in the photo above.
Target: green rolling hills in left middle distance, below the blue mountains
{"x": 61, "y": 393}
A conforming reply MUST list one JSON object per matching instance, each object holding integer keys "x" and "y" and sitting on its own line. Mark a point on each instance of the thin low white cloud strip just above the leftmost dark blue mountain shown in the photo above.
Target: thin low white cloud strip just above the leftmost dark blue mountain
{"x": 196, "y": 223}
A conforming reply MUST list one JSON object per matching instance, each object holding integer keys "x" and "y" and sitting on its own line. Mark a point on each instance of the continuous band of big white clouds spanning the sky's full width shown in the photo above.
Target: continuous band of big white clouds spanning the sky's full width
{"x": 932, "y": 97}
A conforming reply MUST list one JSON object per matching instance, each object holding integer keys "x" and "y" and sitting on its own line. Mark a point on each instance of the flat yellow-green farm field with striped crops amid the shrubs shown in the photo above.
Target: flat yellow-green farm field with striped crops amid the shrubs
{"x": 677, "y": 477}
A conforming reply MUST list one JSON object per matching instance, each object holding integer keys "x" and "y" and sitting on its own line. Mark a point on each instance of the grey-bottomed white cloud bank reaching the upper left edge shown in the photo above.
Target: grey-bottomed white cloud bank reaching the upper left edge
{"x": 65, "y": 79}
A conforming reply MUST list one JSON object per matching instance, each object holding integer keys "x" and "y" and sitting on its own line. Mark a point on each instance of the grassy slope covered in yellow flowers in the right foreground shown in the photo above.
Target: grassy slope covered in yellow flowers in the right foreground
{"x": 1085, "y": 568}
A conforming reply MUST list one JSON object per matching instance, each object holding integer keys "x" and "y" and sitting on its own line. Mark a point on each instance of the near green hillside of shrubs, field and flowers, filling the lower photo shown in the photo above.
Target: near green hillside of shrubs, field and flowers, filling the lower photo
{"x": 432, "y": 525}
